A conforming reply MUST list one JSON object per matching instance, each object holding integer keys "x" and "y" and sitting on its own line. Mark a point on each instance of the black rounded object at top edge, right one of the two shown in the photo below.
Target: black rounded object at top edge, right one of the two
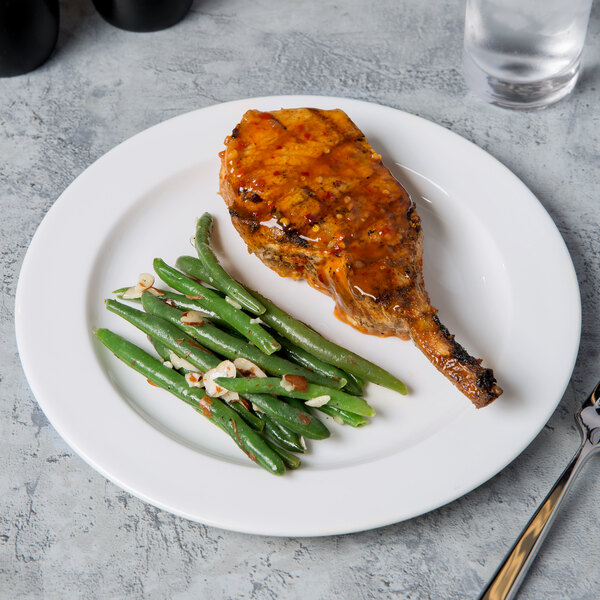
{"x": 142, "y": 15}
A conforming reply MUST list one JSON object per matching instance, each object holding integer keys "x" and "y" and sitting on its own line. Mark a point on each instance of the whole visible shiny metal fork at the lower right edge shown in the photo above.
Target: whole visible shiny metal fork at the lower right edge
{"x": 509, "y": 576}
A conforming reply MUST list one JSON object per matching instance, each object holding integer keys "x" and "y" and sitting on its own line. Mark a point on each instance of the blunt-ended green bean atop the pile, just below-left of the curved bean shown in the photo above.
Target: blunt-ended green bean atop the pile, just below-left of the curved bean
{"x": 238, "y": 319}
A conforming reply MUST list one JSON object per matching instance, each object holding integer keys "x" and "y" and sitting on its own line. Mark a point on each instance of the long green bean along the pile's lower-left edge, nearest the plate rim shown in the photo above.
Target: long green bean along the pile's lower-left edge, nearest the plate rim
{"x": 250, "y": 442}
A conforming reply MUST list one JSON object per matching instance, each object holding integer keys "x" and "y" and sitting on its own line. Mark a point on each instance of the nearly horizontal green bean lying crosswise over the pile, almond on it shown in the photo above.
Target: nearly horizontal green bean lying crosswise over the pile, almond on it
{"x": 272, "y": 385}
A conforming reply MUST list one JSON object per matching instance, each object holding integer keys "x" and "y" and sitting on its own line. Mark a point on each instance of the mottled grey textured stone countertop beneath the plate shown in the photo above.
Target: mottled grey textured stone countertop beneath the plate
{"x": 65, "y": 531}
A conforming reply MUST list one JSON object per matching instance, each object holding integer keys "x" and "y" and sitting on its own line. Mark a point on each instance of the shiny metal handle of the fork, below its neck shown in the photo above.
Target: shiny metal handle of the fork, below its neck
{"x": 507, "y": 579}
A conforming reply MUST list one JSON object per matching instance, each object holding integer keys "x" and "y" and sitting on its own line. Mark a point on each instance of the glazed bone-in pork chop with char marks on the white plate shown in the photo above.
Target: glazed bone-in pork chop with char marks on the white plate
{"x": 313, "y": 200}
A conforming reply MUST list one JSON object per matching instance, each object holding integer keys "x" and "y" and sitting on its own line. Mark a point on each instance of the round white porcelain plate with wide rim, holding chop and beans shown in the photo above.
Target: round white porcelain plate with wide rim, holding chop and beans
{"x": 495, "y": 266}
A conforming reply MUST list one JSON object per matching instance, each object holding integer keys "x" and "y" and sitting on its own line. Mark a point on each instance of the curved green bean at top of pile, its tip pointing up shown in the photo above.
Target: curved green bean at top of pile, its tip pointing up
{"x": 217, "y": 275}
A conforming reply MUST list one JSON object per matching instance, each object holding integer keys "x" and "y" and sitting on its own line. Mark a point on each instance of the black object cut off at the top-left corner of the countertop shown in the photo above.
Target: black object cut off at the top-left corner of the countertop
{"x": 28, "y": 33}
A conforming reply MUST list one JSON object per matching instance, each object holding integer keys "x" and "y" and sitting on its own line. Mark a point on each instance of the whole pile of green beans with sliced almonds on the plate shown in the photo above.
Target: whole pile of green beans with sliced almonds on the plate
{"x": 265, "y": 416}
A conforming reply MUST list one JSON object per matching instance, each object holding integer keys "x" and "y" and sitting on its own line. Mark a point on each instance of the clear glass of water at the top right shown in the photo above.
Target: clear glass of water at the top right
{"x": 524, "y": 54}
